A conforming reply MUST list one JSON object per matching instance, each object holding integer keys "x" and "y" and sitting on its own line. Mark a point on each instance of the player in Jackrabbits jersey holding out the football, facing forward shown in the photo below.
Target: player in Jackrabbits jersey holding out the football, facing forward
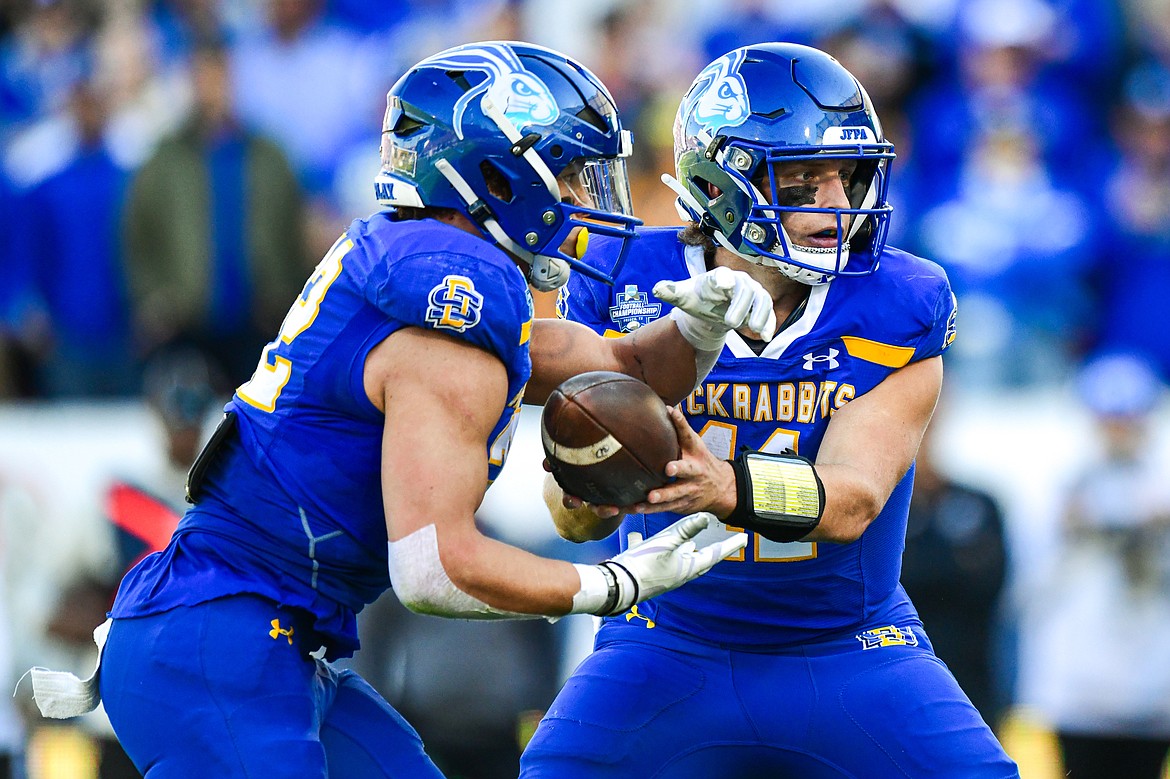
{"x": 801, "y": 657}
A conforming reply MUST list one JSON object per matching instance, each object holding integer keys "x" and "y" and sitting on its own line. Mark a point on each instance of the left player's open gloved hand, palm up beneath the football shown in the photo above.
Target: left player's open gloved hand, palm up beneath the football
{"x": 667, "y": 560}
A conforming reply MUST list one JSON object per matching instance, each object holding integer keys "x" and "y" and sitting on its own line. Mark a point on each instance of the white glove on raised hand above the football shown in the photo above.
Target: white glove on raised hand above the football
{"x": 711, "y": 306}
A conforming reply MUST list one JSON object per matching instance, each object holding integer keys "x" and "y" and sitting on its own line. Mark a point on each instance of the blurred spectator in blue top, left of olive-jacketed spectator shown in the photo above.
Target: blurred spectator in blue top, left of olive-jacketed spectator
{"x": 78, "y": 321}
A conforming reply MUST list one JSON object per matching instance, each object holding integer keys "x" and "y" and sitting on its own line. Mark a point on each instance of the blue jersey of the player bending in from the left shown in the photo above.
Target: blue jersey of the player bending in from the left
{"x": 292, "y": 509}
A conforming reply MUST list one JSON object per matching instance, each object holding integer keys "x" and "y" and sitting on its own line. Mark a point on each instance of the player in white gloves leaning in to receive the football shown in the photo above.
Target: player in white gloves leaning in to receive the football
{"x": 356, "y": 456}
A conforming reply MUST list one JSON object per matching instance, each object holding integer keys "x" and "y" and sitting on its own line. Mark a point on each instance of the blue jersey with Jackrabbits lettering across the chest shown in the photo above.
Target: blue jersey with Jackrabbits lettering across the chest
{"x": 851, "y": 335}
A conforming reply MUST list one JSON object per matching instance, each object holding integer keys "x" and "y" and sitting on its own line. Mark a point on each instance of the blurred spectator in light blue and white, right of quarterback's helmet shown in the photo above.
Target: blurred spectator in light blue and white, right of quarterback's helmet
{"x": 1017, "y": 249}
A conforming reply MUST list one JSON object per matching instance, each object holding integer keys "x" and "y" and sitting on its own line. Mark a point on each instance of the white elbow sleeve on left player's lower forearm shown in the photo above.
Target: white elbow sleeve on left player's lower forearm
{"x": 423, "y": 585}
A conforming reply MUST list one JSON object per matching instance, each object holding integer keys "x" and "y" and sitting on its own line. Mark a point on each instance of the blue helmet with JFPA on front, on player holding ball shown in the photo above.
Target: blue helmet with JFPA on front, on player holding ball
{"x": 773, "y": 104}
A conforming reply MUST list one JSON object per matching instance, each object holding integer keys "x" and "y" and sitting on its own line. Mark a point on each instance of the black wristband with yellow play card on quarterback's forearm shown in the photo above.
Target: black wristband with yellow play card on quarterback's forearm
{"x": 780, "y": 497}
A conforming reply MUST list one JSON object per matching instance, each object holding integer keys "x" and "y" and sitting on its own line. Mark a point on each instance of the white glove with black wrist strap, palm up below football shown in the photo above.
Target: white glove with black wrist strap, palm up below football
{"x": 665, "y": 561}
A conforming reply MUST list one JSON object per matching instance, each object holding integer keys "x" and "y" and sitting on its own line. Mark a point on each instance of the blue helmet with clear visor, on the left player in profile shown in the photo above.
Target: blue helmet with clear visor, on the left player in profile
{"x": 495, "y": 130}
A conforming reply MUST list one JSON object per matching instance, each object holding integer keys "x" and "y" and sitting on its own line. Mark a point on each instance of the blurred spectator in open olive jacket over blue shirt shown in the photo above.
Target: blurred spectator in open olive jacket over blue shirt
{"x": 215, "y": 232}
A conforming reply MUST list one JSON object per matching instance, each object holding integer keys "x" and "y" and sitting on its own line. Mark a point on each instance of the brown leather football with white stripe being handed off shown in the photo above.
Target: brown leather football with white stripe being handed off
{"x": 608, "y": 438}
